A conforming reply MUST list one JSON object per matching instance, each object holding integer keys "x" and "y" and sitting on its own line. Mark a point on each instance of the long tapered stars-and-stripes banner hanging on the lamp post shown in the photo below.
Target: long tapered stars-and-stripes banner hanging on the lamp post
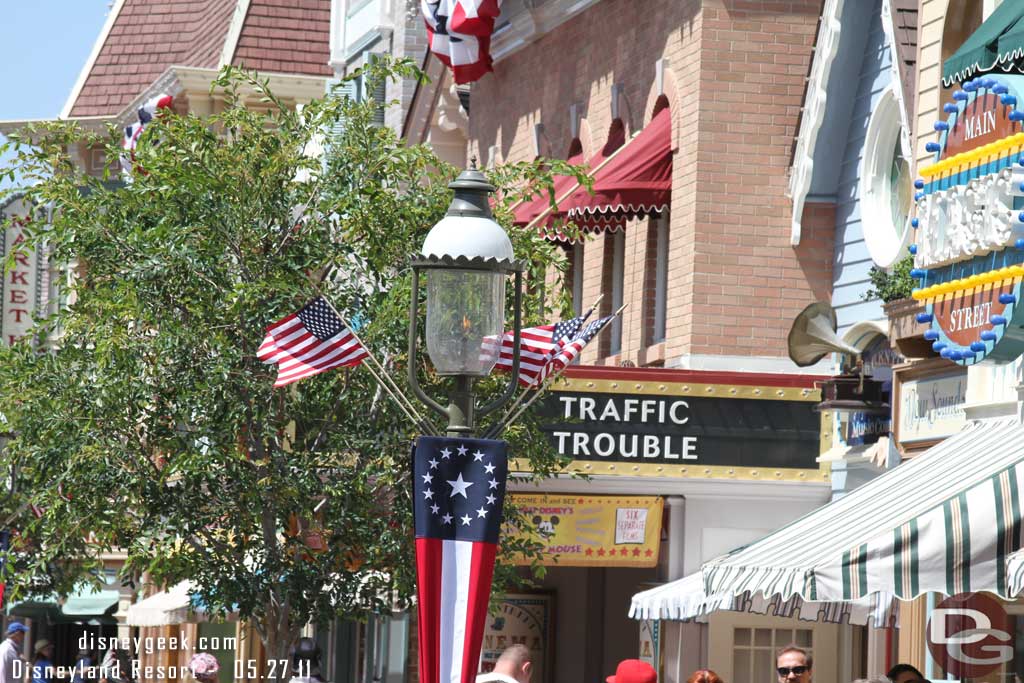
{"x": 459, "y": 491}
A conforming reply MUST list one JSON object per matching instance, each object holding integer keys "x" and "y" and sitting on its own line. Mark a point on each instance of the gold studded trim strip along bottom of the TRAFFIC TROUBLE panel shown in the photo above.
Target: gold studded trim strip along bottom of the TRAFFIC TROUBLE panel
{"x": 690, "y": 472}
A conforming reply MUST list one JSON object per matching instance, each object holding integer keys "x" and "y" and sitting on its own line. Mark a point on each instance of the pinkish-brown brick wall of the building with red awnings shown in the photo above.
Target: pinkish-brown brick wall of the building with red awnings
{"x": 736, "y": 83}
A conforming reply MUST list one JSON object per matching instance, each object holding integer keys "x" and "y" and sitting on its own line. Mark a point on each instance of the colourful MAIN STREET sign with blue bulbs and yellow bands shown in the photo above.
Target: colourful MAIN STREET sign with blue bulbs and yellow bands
{"x": 969, "y": 250}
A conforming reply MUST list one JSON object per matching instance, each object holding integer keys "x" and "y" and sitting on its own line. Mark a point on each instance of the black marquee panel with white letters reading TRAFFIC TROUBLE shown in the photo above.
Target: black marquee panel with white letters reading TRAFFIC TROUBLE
{"x": 654, "y": 430}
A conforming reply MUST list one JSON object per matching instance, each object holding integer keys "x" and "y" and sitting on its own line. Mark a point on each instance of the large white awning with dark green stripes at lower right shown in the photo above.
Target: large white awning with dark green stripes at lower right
{"x": 946, "y": 522}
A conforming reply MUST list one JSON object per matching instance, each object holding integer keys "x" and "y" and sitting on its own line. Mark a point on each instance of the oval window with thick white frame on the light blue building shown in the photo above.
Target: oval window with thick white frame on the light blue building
{"x": 886, "y": 186}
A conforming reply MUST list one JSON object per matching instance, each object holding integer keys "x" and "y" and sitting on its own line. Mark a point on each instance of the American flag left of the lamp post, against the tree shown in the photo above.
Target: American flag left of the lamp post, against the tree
{"x": 310, "y": 343}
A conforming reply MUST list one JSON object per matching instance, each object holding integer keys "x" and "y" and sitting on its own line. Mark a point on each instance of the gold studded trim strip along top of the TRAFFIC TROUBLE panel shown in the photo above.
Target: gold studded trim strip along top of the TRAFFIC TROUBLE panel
{"x": 689, "y": 390}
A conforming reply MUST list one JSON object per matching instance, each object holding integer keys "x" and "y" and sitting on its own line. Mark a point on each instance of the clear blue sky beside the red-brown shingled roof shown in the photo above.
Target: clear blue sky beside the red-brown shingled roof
{"x": 44, "y": 48}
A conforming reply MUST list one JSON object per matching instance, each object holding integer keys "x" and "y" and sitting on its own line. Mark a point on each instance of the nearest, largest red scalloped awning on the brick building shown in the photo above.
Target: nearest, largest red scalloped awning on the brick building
{"x": 636, "y": 182}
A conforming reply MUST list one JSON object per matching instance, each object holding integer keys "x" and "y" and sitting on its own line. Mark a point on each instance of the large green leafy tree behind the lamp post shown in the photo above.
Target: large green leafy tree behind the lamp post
{"x": 142, "y": 419}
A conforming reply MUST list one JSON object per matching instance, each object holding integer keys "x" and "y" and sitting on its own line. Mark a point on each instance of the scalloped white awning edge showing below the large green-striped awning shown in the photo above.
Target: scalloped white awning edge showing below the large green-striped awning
{"x": 686, "y": 601}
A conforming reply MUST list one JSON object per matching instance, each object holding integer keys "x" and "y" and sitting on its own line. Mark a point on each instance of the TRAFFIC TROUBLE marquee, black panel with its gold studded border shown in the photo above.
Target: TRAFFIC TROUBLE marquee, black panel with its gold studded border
{"x": 701, "y": 431}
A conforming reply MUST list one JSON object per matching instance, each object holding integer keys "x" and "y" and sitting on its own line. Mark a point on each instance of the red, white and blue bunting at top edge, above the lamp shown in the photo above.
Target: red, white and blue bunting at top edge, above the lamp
{"x": 459, "y": 34}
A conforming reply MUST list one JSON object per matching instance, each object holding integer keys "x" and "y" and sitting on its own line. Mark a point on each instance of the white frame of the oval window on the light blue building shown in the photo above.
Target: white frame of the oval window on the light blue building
{"x": 885, "y": 242}
